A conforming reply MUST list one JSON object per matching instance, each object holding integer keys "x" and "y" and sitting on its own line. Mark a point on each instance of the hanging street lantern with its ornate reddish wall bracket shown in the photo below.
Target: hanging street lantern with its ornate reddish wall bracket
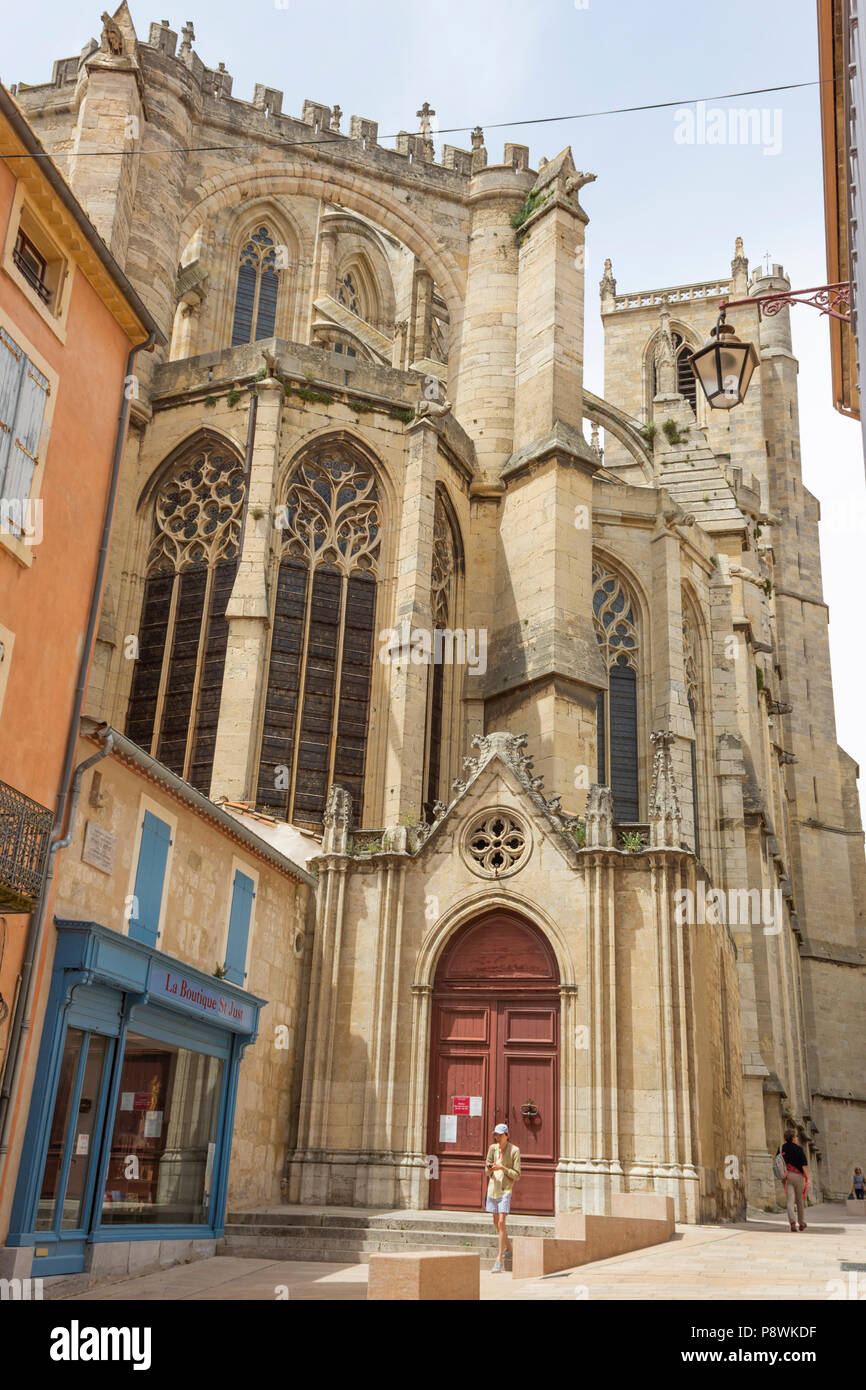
{"x": 725, "y": 365}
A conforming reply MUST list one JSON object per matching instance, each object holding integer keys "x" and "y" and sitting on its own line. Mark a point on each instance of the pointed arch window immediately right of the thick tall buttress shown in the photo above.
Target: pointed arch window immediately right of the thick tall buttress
{"x": 616, "y": 632}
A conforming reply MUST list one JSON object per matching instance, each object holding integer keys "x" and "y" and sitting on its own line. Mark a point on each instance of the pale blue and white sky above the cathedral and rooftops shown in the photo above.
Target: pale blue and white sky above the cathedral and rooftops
{"x": 664, "y": 211}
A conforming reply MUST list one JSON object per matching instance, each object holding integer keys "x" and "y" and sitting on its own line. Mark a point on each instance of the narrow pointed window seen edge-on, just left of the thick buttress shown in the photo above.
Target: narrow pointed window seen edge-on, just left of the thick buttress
{"x": 441, "y": 694}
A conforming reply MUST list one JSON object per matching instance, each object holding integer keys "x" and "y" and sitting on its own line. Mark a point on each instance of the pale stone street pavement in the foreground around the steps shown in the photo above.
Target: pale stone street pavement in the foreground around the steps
{"x": 758, "y": 1260}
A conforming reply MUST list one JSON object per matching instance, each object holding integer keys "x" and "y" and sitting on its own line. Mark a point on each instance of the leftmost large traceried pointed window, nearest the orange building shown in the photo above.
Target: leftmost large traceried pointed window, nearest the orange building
{"x": 177, "y": 687}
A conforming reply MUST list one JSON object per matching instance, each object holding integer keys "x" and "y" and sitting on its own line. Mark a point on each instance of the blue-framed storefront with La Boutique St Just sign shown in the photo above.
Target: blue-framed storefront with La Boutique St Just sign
{"x": 133, "y": 1110}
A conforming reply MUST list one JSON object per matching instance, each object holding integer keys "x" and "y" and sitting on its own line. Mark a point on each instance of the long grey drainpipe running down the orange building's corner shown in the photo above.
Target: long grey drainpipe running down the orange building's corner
{"x": 70, "y": 779}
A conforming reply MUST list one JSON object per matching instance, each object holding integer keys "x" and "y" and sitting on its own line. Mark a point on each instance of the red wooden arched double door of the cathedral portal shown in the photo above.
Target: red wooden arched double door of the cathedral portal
{"x": 496, "y": 1052}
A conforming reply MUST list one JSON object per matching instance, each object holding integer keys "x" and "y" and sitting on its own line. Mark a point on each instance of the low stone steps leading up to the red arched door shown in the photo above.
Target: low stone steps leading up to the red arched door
{"x": 351, "y": 1235}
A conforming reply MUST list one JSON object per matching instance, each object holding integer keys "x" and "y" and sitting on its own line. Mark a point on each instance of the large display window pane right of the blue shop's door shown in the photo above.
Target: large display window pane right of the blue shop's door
{"x": 165, "y": 1140}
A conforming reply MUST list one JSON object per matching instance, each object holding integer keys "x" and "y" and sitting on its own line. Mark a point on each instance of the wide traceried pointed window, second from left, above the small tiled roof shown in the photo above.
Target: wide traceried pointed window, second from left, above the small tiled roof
{"x": 320, "y": 668}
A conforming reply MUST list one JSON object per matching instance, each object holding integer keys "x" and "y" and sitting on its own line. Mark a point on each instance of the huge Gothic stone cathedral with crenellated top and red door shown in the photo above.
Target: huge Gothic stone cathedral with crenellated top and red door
{"x": 541, "y": 679}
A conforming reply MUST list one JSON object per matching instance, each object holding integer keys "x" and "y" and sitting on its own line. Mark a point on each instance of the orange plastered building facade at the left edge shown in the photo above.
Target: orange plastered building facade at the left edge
{"x": 70, "y": 325}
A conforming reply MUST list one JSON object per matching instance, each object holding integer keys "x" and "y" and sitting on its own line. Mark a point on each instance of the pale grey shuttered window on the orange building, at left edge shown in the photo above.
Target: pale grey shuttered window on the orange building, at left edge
{"x": 24, "y": 393}
